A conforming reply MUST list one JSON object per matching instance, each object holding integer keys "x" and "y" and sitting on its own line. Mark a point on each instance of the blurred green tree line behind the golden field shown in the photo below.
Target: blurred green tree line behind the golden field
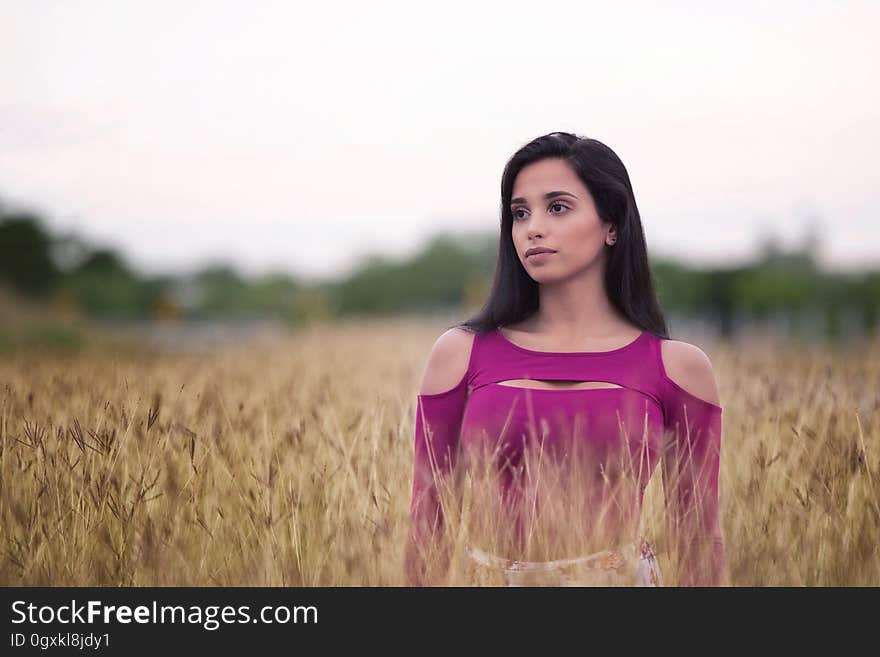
{"x": 81, "y": 280}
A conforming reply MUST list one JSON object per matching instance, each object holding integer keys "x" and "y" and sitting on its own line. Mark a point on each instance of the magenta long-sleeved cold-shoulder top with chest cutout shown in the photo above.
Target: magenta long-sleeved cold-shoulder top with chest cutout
{"x": 649, "y": 419}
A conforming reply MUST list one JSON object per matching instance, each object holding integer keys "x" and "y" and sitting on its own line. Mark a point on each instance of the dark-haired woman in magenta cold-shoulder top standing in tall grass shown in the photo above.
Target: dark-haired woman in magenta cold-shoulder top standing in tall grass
{"x": 564, "y": 393}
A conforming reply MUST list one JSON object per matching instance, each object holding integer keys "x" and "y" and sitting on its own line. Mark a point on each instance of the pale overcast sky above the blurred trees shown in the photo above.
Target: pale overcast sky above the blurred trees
{"x": 275, "y": 136}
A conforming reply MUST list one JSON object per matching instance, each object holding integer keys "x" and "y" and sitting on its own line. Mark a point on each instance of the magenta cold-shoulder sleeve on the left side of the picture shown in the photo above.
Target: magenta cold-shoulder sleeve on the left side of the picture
{"x": 437, "y": 427}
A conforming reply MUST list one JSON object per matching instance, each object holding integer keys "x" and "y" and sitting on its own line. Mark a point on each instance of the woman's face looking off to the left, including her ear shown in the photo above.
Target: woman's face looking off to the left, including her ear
{"x": 566, "y": 222}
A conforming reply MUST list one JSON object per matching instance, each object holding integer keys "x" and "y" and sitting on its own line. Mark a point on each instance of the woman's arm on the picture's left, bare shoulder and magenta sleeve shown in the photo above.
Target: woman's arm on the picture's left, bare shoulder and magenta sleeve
{"x": 440, "y": 408}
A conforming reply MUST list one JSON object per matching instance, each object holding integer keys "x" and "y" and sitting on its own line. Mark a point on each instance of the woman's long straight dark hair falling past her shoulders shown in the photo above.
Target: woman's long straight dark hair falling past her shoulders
{"x": 628, "y": 281}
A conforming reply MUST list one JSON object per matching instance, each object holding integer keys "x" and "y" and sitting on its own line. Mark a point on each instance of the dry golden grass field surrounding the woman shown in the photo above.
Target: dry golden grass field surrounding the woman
{"x": 288, "y": 462}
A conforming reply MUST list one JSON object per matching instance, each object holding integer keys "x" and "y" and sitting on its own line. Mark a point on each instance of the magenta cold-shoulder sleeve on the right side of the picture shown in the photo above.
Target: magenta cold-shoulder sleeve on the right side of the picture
{"x": 690, "y": 469}
